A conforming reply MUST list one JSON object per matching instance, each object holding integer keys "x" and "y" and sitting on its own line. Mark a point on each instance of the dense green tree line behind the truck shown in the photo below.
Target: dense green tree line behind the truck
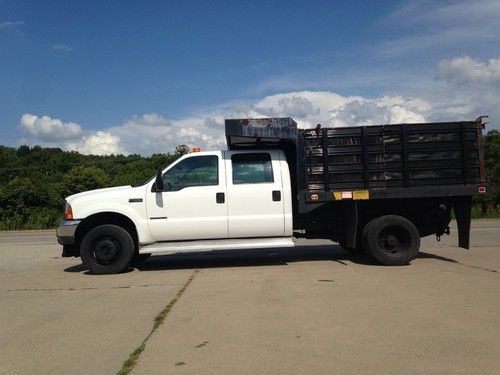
{"x": 35, "y": 180}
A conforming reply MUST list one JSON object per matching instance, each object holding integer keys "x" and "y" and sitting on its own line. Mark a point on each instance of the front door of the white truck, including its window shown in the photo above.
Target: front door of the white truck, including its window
{"x": 193, "y": 204}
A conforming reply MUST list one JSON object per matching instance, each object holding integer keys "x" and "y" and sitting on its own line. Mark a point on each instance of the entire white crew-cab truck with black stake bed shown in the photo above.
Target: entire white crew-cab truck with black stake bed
{"x": 372, "y": 188}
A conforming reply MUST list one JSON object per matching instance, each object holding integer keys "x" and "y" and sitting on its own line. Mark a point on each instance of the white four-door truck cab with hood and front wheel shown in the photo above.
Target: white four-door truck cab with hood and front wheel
{"x": 203, "y": 201}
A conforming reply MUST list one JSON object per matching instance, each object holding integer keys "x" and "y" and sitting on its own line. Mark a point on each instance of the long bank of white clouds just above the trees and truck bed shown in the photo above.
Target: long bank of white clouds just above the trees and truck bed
{"x": 464, "y": 89}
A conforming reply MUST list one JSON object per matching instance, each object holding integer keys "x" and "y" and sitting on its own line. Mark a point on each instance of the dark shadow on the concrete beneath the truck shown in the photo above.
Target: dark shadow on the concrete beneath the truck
{"x": 255, "y": 258}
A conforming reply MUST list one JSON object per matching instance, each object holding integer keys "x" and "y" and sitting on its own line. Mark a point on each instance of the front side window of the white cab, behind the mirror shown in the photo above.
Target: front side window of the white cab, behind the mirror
{"x": 193, "y": 171}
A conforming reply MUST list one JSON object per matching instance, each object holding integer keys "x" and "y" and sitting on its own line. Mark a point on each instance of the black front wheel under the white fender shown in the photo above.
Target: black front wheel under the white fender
{"x": 107, "y": 249}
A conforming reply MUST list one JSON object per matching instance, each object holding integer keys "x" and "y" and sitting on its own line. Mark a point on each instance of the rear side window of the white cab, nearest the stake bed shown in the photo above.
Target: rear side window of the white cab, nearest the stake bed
{"x": 252, "y": 168}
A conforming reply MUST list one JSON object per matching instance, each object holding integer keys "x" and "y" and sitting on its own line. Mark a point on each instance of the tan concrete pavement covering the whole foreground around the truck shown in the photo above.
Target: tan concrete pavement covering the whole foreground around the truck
{"x": 313, "y": 309}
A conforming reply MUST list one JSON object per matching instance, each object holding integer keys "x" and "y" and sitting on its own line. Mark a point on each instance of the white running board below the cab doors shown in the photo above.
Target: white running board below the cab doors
{"x": 163, "y": 248}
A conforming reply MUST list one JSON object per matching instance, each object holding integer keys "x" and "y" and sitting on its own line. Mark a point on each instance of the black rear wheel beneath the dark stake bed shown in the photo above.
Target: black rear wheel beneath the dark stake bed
{"x": 391, "y": 240}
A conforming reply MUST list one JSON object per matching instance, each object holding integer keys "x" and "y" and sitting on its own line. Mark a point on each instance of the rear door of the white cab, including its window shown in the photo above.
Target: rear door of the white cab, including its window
{"x": 254, "y": 194}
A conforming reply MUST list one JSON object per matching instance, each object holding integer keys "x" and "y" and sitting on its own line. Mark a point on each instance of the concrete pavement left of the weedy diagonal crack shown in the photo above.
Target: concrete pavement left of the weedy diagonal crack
{"x": 55, "y": 319}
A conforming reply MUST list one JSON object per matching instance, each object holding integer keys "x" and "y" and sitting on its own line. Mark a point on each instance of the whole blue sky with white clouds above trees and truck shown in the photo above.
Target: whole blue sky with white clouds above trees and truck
{"x": 140, "y": 77}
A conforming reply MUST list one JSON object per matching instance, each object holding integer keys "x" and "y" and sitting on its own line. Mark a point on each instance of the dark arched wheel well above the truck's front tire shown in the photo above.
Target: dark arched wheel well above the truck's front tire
{"x": 102, "y": 218}
